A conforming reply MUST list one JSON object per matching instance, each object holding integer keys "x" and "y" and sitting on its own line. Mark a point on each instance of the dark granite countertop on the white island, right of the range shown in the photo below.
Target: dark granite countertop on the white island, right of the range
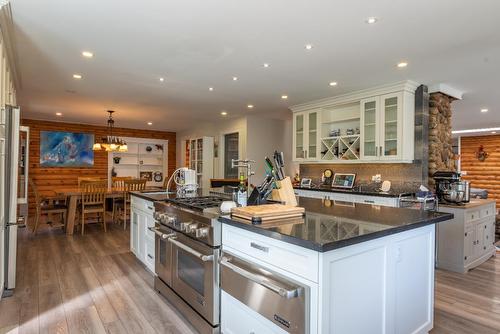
{"x": 341, "y": 224}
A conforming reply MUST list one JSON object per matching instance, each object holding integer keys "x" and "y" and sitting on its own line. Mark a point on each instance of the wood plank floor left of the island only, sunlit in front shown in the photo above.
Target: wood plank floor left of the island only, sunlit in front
{"x": 84, "y": 284}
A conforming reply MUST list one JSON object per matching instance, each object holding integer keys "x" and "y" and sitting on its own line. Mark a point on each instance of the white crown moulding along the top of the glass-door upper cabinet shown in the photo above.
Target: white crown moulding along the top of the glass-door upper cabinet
{"x": 408, "y": 86}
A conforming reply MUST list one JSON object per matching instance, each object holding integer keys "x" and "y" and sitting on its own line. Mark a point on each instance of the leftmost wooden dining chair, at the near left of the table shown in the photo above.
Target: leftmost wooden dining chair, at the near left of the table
{"x": 48, "y": 205}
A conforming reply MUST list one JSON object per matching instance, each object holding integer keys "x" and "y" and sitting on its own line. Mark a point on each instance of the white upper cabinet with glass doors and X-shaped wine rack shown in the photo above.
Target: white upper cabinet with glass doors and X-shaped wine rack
{"x": 365, "y": 126}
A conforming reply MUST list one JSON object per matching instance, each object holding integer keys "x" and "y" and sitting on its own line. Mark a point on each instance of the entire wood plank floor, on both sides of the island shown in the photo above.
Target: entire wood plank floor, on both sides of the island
{"x": 93, "y": 284}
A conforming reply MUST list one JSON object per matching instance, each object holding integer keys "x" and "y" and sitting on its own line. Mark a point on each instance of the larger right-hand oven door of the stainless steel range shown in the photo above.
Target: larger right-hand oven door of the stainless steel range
{"x": 194, "y": 275}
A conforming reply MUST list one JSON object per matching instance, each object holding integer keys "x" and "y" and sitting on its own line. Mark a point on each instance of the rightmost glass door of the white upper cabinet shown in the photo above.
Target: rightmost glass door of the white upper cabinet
{"x": 390, "y": 126}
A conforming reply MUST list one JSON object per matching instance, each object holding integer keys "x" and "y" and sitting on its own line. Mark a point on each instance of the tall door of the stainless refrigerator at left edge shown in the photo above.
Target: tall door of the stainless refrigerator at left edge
{"x": 9, "y": 196}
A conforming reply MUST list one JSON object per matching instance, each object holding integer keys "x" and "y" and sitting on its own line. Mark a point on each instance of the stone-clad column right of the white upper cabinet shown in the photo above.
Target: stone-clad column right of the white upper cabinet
{"x": 441, "y": 156}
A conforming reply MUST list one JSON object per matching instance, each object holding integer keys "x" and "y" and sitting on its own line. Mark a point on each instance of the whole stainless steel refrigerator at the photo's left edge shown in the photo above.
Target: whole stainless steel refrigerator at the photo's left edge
{"x": 9, "y": 185}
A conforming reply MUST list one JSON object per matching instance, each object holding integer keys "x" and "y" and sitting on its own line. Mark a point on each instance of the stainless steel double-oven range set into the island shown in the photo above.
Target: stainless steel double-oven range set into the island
{"x": 188, "y": 240}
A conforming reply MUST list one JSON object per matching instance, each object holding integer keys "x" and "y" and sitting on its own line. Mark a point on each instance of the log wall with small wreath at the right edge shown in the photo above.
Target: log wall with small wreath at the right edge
{"x": 482, "y": 174}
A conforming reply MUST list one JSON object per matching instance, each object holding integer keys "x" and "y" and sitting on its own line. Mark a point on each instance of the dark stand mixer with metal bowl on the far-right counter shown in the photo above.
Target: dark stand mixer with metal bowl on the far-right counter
{"x": 450, "y": 189}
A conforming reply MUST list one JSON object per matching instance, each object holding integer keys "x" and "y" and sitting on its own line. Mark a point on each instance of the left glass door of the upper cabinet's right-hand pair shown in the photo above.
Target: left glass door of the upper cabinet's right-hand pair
{"x": 369, "y": 134}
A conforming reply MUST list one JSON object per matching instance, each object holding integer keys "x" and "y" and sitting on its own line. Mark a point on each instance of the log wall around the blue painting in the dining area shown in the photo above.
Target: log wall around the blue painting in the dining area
{"x": 48, "y": 179}
